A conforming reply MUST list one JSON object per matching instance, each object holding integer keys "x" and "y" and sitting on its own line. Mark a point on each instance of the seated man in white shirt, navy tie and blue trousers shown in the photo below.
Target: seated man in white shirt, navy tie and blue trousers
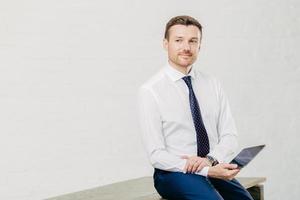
{"x": 187, "y": 126}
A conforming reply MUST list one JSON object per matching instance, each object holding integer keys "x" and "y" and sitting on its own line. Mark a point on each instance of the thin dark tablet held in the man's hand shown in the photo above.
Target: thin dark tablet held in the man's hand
{"x": 246, "y": 155}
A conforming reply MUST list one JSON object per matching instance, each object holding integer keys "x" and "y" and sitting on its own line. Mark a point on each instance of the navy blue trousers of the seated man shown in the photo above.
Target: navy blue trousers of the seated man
{"x": 180, "y": 186}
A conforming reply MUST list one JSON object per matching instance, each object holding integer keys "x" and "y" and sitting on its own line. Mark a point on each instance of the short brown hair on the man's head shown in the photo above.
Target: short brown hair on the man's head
{"x": 183, "y": 20}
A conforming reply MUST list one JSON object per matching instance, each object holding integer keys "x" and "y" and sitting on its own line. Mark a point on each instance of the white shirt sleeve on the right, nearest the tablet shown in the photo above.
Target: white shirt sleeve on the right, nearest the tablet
{"x": 228, "y": 144}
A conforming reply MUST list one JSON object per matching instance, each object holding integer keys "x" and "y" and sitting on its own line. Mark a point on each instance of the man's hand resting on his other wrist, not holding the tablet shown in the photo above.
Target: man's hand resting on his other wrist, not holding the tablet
{"x": 195, "y": 164}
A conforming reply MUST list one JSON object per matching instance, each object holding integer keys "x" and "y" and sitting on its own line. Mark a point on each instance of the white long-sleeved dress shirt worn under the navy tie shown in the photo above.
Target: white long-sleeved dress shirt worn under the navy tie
{"x": 167, "y": 125}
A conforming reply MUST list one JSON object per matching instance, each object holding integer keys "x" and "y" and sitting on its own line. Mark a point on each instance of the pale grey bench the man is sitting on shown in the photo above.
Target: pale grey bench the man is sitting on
{"x": 143, "y": 189}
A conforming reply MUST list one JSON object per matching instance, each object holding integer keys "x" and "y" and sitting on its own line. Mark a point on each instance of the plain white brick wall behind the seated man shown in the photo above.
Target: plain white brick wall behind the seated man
{"x": 70, "y": 69}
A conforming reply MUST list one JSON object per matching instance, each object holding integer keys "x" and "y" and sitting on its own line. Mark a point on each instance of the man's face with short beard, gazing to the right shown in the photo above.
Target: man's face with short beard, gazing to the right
{"x": 183, "y": 45}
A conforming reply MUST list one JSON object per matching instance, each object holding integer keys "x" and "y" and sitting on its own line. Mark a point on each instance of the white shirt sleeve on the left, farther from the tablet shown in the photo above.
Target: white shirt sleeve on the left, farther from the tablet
{"x": 152, "y": 135}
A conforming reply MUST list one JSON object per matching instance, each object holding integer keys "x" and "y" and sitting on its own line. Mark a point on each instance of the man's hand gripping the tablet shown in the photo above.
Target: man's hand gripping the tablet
{"x": 223, "y": 171}
